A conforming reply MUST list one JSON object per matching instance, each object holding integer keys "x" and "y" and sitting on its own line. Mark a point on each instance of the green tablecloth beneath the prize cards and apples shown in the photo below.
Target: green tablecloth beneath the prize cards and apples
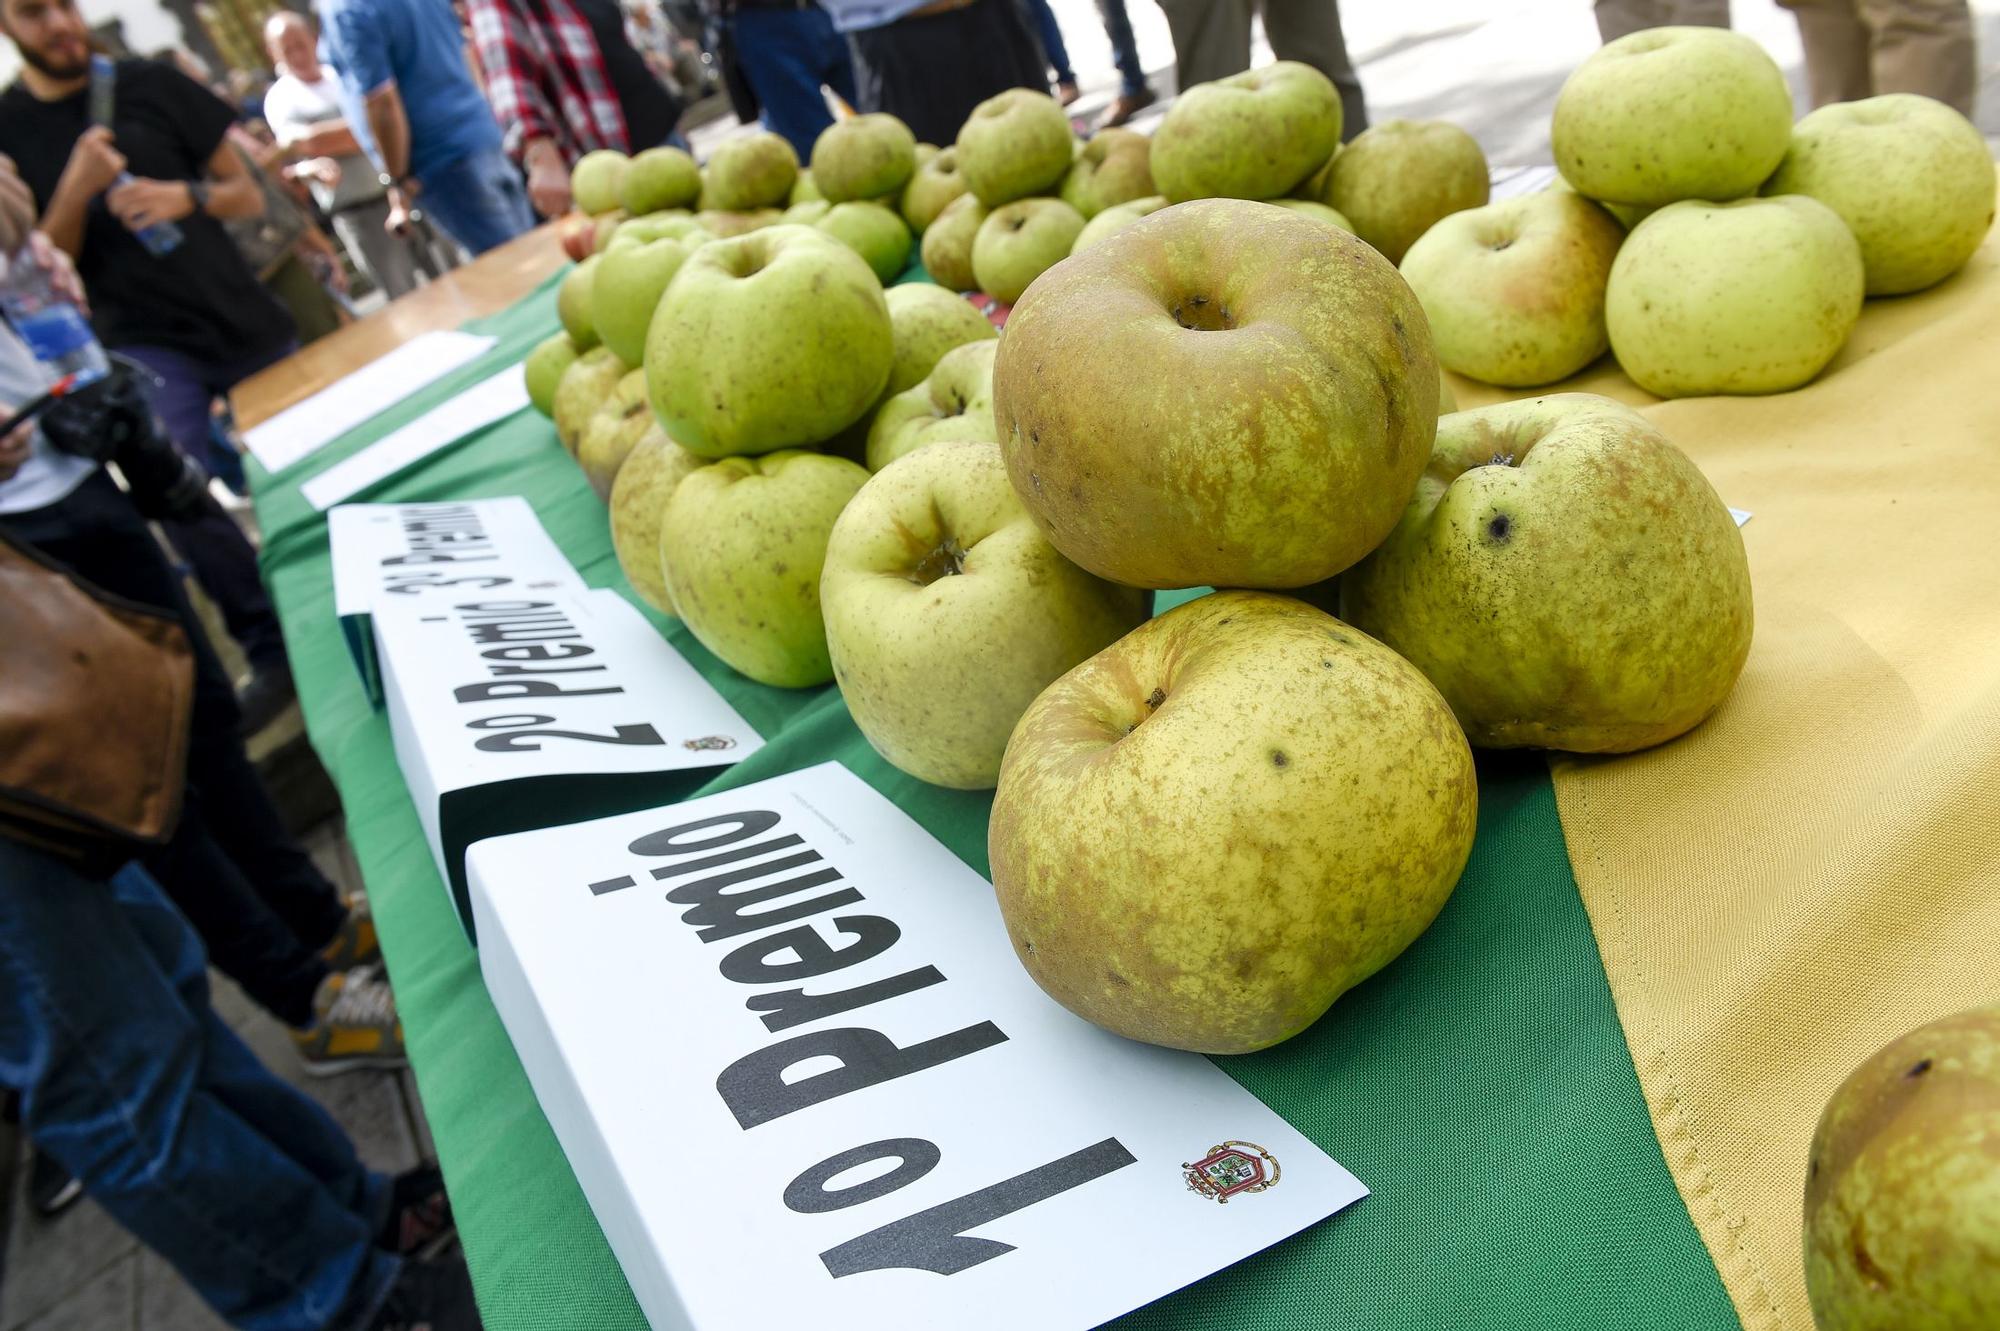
{"x": 1481, "y": 1086}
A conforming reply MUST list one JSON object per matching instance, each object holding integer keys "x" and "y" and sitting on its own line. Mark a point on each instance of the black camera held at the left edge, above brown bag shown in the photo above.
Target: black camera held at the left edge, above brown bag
{"x": 111, "y": 421}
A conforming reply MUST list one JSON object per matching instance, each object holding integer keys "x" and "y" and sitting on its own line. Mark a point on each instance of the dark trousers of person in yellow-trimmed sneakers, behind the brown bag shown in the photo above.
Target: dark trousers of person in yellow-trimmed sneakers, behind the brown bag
{"x": 243, "y": 882}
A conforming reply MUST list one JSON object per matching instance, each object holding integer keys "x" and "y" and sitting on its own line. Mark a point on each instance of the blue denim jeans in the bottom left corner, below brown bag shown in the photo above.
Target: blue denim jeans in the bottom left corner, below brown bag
{"x": 133, "y": 1084}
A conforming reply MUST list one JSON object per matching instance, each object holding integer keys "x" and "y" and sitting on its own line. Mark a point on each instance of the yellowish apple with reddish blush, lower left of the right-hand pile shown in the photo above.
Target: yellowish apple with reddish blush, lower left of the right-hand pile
{"x": 1515, "y": 291}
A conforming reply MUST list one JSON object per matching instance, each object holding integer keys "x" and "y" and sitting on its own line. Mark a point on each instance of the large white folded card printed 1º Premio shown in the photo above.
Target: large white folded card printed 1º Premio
{"x": 805, "y": 1082}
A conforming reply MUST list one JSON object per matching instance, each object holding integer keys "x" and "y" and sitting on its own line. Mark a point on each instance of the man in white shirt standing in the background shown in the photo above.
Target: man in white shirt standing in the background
{"x": 303, "y": 111}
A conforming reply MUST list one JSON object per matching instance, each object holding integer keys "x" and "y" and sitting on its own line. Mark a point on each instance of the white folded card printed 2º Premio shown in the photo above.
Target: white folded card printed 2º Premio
{"x": 517, "y": 710}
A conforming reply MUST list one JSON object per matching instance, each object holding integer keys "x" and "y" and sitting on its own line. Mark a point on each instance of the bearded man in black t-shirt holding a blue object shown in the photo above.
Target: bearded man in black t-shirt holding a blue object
{"x": 197, "y": 317}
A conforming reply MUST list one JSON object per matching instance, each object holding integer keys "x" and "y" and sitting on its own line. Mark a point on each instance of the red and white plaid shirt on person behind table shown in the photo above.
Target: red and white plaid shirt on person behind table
{"x": 545, "y": 77}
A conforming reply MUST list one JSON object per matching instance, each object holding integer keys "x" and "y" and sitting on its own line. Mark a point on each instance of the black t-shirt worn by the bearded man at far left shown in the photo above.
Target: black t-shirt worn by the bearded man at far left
{"x": 201, "y": 299}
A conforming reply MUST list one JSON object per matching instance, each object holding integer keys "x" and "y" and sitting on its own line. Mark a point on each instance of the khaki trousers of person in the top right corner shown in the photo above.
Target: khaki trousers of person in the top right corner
{"x": 1861, "y": 49}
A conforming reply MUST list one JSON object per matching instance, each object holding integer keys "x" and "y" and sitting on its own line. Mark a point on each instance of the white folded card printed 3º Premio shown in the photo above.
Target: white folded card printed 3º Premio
{"x": 395, "y": 553}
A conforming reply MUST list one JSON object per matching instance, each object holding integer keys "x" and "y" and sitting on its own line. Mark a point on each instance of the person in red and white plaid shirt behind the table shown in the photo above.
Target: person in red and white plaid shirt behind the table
{"x": 563, "y": 81}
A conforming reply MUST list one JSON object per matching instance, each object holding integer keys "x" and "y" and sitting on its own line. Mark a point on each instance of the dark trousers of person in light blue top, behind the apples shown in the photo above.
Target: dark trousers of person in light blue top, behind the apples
{"x": 933, "y": 71}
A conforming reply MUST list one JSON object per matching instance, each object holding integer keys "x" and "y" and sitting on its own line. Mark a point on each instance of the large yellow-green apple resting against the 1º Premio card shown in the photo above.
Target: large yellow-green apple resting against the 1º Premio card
{"x": 1229, "y": 818}
